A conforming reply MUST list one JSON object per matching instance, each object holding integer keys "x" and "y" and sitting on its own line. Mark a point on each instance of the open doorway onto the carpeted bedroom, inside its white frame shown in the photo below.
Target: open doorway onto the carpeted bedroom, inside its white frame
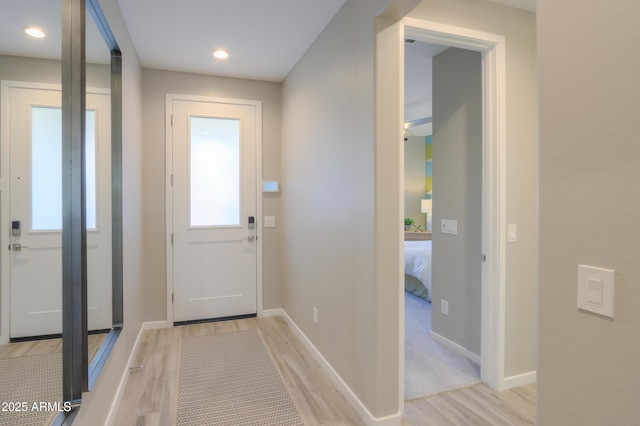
{"x": 443, "y": 156}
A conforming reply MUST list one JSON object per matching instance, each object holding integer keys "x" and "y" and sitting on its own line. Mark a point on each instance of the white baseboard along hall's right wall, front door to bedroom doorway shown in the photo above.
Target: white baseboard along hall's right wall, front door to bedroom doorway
{"x": 363, "y": 412}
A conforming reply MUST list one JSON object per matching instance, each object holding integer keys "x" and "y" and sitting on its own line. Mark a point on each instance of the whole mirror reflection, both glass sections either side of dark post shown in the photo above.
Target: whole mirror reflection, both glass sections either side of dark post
{"x": 30, "y": 272}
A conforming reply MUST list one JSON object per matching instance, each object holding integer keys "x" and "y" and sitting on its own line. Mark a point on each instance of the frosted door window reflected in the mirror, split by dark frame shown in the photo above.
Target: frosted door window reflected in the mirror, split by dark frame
{"x": 46, "y": 169}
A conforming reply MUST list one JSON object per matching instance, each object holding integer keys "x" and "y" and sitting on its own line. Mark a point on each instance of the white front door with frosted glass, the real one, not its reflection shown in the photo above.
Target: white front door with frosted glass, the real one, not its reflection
{"x": 214, "y": 195}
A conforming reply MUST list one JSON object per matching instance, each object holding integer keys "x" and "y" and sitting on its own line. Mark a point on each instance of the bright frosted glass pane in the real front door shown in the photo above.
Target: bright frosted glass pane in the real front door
{"x": 214, "y": 172}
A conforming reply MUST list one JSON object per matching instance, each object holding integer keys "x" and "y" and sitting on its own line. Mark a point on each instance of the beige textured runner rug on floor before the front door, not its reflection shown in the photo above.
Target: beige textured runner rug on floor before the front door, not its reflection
{"x": 229, "y": 379}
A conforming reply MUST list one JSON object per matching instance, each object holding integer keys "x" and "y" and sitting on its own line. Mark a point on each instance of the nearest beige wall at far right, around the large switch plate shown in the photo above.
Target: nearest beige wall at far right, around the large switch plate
{"x": 589, "y": 371}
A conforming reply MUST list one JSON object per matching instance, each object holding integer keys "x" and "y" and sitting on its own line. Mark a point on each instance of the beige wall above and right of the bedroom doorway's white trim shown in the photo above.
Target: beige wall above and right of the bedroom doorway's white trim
{"x": 518, "y": 27}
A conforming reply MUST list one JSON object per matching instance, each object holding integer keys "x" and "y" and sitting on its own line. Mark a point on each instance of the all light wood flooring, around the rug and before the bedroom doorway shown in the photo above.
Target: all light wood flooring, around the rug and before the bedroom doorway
{"x": 150, "y": 387}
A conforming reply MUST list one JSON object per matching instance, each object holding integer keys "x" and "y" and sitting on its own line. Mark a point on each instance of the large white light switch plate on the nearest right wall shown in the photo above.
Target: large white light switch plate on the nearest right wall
{"x": 596, "y": 290}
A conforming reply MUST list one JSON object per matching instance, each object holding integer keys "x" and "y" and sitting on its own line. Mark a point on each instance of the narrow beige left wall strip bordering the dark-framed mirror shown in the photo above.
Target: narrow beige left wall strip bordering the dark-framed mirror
{"x": 97, "y": 403}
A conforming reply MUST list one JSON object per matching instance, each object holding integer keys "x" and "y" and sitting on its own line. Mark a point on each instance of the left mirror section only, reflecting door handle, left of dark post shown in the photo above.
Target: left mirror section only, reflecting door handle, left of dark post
{"x": 31, "y": 298}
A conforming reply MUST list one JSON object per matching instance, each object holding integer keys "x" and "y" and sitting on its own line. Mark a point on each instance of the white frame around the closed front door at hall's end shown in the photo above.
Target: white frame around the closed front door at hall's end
{"x": 168, "y": 191}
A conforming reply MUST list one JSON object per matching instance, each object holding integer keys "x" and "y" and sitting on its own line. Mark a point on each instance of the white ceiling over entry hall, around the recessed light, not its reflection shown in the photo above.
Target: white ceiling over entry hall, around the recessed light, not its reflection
{"x": 265, "y": 39}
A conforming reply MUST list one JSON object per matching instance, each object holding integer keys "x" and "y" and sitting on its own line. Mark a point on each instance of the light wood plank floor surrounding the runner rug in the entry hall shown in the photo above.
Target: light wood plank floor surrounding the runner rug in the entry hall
{"x": 150, "y": 387}
